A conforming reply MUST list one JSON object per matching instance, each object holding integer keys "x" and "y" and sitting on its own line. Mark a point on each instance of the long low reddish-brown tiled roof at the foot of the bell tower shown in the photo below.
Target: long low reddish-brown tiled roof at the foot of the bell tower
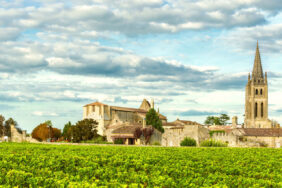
{"x": 265, "y": 132}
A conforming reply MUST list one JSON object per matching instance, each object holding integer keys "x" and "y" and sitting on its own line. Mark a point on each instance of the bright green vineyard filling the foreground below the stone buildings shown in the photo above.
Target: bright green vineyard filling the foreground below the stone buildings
{"x": 33, "y": 165}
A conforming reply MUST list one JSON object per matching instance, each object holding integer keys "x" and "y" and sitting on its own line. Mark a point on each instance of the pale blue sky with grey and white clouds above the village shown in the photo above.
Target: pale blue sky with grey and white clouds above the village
{"x": 191, "y": 56}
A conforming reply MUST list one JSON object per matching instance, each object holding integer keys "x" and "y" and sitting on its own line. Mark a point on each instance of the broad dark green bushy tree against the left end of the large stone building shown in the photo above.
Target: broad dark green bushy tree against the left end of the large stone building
{"x": 84, "y": 130}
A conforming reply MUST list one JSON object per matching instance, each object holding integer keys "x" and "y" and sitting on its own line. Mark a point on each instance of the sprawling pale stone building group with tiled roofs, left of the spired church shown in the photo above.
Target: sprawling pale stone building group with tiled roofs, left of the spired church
{"x": 122, "y": 122}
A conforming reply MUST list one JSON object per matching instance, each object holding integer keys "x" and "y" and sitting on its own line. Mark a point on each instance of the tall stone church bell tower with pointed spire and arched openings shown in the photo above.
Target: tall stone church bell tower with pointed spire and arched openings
{"x": 256, "y": 104}
